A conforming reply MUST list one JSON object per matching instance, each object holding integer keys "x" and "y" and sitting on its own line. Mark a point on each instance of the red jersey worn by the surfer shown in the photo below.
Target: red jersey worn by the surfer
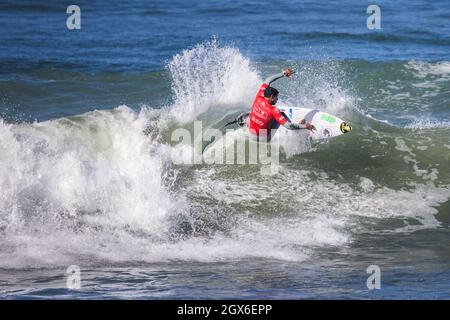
{"x": 263, "y": 113}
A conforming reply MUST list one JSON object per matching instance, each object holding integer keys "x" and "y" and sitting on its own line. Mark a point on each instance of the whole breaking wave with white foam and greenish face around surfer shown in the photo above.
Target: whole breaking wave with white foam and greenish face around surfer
{"x": 100, "y": 187}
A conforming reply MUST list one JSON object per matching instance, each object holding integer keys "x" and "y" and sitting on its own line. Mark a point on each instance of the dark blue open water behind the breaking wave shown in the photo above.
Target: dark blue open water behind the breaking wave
{"x": 142, "y": 35}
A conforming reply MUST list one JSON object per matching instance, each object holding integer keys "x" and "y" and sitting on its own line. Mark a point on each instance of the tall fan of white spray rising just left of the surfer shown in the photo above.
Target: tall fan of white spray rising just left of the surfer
{"x": 207, "y": 75}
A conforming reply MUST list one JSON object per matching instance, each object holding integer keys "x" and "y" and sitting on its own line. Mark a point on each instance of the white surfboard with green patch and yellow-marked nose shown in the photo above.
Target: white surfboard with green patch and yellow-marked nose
{"x": 327, "y": 126}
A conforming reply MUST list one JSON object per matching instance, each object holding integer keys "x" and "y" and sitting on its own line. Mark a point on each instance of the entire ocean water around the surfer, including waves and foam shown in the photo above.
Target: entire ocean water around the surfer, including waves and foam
{"x": 87, "y": 176}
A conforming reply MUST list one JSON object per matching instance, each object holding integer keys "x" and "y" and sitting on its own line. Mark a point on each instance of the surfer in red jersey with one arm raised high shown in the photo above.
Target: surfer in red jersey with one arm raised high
{"x": 265, "y": 117}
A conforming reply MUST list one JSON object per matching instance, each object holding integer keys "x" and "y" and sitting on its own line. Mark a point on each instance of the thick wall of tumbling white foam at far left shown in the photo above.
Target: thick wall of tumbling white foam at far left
{"x": 98, "y": 170}
